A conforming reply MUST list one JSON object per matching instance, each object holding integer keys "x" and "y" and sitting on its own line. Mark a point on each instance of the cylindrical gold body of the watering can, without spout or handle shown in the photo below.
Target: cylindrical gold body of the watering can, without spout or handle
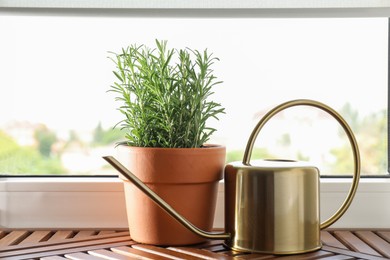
{"x": 272, "y": 207}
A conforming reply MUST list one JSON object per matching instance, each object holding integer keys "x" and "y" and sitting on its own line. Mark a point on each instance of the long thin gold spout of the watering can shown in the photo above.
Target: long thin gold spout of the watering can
{"x": 159, "y": 201}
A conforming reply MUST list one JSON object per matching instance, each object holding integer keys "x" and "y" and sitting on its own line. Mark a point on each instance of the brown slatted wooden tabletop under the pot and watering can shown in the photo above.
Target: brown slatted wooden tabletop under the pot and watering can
{"x": 106, "y": 244}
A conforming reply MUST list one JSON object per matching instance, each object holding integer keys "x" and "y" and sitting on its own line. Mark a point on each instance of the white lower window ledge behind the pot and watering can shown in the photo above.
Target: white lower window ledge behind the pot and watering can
{"x": 99, "y": 203}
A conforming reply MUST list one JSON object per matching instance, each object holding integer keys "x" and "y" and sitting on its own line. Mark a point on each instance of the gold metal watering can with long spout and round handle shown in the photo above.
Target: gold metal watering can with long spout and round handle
{"x": 271, "y": 206}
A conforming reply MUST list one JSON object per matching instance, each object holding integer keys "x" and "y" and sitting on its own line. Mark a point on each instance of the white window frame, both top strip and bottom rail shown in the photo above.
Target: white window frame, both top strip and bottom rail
{"x": 78, "y": 202}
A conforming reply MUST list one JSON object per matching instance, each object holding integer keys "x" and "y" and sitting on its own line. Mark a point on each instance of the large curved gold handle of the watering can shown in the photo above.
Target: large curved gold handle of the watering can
{"x": 347, "y": 129}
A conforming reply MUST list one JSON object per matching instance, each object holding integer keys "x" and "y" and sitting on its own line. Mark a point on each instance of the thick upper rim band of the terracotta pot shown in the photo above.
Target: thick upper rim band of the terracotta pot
{"x": 174, "y": 165}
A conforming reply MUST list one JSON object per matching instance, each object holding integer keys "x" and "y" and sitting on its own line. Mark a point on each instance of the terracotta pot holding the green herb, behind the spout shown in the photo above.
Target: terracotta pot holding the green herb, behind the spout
{"x": 186, "y": 178}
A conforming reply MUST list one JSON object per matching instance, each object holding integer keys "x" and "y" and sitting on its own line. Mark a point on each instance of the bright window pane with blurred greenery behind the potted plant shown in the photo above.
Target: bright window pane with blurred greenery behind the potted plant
{"x": 57, "y": 116}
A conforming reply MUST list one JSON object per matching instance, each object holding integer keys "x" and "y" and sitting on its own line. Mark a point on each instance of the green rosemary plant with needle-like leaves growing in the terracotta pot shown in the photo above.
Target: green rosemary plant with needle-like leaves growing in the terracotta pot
{"x": 164, "y": 95}
